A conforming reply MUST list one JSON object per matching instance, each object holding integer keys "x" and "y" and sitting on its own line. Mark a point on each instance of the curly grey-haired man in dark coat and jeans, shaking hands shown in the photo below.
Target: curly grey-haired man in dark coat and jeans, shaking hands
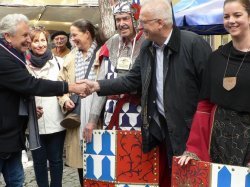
{"x": 17, "y": 88}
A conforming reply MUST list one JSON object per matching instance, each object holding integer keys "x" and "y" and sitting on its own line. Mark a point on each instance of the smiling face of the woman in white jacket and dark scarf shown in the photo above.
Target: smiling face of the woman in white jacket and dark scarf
{"x": 39, "y": 44}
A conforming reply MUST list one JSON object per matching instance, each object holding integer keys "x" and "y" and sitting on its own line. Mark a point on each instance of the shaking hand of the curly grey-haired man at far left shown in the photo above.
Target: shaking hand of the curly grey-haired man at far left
{"x": 79, "y": 88}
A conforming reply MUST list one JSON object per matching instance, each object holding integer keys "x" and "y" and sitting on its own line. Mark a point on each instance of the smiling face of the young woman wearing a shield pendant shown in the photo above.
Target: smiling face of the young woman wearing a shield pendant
{"x": 236, "y": 19}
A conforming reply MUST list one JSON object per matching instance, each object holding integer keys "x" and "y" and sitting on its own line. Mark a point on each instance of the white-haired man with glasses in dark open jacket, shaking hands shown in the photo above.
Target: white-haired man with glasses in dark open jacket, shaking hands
{"x": 169, "y": 72}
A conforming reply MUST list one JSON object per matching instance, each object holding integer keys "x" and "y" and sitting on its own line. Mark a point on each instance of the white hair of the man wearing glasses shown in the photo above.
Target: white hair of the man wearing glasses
{"x": 159, "y": 9}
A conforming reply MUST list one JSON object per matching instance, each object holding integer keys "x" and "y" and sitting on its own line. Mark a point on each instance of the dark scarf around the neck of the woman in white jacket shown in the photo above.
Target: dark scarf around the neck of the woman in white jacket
{"x": 39, "y": 61}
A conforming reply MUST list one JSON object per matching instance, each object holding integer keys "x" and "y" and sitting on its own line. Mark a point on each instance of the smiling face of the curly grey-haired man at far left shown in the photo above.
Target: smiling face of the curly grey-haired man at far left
{"x": 20, "y": 40}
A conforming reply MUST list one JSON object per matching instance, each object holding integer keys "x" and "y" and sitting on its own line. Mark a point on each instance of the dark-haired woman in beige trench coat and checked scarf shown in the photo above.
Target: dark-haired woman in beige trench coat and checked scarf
{"x": 80, "y": 63}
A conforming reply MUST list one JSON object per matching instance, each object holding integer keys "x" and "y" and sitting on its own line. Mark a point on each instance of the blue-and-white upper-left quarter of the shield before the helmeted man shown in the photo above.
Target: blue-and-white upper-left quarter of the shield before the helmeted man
{"x": 99, "y": 156}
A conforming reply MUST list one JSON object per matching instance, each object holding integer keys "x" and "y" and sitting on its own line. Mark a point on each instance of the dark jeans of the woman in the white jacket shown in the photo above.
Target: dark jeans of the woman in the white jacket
{"x": 52, "y": 150}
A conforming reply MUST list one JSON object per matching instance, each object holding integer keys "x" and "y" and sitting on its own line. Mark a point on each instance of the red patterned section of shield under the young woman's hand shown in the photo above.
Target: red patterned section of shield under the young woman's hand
{"x": 195, "y": 174}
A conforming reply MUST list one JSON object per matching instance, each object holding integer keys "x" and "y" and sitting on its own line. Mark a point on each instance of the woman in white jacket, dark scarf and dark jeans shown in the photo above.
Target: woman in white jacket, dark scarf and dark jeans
{"x": 41, "y": 63}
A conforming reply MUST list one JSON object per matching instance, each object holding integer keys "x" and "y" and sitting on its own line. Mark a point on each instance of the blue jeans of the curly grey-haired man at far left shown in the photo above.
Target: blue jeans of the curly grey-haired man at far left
{"x": 12, "y": 169}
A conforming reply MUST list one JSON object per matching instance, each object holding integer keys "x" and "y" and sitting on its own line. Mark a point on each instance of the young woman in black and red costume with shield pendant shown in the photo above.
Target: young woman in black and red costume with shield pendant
{"x": 220, "y": 131}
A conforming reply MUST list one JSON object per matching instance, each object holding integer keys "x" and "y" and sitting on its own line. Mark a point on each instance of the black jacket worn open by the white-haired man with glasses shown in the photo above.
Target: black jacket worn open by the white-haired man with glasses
{"x": 184, "y": 60}
